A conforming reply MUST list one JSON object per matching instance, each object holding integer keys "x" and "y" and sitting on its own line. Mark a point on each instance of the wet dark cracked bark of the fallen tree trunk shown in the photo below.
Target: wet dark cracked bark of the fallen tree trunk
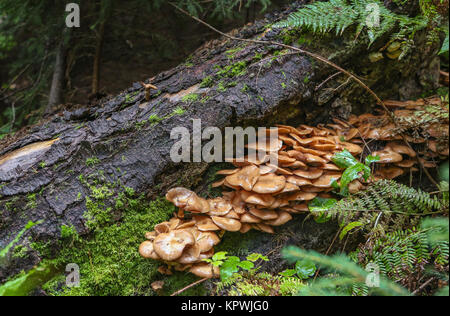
{"x": 129, "y": 148}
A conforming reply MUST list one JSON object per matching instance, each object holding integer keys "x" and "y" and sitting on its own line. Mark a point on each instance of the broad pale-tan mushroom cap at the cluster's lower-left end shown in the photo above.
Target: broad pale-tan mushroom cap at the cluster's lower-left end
{"x": 170, "y": 246}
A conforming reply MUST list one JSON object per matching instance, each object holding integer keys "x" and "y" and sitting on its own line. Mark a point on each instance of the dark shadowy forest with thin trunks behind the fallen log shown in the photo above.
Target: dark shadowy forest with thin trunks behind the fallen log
{"x": 117, "y": 43}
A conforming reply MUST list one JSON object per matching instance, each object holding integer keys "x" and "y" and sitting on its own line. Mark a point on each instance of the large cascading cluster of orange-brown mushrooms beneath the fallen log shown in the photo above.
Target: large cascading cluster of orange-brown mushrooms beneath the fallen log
{"x": 264, "y": 195}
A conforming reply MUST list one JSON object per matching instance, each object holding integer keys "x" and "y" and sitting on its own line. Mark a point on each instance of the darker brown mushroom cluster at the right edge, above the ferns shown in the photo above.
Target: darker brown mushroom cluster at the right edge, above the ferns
{"x": 430, "y": 136}
